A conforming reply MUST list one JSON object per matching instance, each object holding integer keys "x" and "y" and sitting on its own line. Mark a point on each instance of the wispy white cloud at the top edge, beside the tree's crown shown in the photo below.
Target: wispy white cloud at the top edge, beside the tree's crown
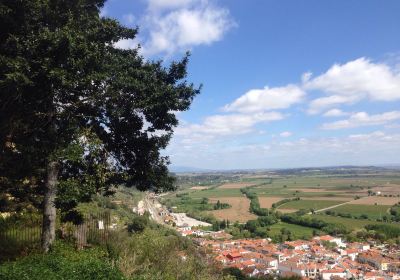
{"x": 185, "y": 24}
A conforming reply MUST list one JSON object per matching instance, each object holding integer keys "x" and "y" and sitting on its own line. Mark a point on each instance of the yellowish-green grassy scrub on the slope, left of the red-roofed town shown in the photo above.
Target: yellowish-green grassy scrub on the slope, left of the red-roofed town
{"x": 159, "y": 254}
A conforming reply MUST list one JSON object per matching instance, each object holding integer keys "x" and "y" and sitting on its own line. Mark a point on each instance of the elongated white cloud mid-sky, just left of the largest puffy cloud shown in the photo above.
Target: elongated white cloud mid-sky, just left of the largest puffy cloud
{"x": 259, "y": 100}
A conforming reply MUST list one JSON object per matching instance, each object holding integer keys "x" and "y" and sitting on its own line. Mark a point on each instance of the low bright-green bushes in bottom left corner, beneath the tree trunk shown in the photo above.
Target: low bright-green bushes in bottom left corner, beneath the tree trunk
{"x": 63, "y": 262}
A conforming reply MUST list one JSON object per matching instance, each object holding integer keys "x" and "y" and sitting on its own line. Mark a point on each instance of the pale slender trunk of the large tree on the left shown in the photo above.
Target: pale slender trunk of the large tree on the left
{"x": 49, "y": 207}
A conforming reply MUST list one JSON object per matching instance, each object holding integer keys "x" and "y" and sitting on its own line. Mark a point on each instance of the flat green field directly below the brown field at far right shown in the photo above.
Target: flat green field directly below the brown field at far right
{"x": 373, "y": 211}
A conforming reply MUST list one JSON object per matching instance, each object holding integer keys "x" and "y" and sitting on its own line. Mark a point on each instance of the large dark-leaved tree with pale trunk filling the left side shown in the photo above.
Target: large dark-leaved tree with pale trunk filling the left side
{"x": 77, "y": 113}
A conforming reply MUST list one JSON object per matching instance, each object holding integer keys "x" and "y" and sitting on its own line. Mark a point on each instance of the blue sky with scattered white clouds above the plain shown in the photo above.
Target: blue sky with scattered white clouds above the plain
{"x": 285, "y": 83}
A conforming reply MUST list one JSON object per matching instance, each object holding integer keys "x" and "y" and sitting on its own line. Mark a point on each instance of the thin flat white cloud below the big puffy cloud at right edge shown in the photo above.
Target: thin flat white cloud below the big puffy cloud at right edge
{"x": 363, "y": 119}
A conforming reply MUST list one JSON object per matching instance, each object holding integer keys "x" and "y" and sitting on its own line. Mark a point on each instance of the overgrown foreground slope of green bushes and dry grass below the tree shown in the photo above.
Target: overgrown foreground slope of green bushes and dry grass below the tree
{"x": 141, "y": 250}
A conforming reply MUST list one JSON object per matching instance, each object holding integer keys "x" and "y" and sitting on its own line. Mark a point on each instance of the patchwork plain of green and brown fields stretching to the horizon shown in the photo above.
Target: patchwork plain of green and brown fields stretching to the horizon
{"x": 316, "y": 188}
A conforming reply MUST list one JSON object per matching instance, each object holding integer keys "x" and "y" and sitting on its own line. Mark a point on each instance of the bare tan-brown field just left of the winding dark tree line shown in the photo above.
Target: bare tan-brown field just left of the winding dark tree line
{"x": 238, "y": 212}
